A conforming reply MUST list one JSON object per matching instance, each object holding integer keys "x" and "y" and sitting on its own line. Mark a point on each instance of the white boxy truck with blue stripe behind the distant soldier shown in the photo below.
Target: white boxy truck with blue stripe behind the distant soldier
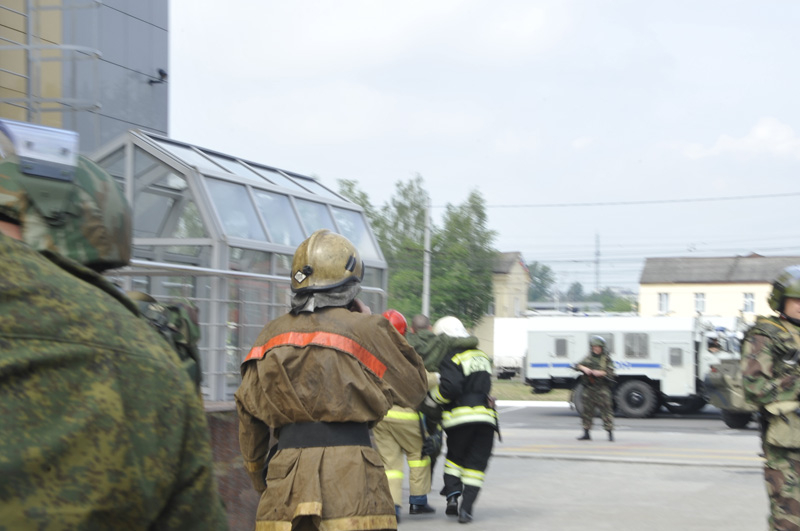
{"x": 659, "y": 361}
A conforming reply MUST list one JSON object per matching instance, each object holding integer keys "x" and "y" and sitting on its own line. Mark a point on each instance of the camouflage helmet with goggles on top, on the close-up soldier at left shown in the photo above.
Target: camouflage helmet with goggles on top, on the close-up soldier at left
{"x": 63, "y": 203}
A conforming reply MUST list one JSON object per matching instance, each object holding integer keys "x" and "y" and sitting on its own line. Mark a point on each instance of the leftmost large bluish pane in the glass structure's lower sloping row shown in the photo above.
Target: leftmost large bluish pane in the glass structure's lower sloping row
{"x": 235, "y": 210}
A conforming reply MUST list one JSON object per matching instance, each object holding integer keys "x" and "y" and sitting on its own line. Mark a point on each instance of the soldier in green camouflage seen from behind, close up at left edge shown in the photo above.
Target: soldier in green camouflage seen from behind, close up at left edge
{"x": 101, "y": 427}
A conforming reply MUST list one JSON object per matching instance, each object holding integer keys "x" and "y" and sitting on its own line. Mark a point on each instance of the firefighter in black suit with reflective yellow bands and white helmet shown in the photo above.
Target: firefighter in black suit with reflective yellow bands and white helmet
{"x": 463, "y": 402}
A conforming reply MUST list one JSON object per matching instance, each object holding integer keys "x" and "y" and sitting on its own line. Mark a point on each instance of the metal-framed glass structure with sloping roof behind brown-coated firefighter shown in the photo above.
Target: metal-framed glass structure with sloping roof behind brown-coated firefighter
{"x": 221, "y": 231}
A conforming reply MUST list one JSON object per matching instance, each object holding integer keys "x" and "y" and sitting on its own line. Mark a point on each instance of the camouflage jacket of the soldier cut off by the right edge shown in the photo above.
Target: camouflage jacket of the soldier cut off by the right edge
{"x": 769, "y": 361}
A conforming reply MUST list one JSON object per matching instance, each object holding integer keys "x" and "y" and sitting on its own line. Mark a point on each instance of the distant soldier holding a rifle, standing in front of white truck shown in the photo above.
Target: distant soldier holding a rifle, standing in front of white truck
{"x": 597, "y": 380}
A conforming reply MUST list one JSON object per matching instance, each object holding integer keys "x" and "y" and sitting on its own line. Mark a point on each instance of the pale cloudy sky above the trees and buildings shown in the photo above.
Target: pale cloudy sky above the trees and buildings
{"x": 658, "y": 128}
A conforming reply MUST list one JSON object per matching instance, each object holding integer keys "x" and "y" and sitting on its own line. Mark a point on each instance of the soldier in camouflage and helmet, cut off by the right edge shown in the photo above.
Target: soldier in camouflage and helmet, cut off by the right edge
{"x": 771, "y": 379}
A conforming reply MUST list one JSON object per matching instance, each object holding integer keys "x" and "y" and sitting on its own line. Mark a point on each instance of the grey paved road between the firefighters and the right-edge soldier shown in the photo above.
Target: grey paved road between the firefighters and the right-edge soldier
{"x": 667, "y": 473}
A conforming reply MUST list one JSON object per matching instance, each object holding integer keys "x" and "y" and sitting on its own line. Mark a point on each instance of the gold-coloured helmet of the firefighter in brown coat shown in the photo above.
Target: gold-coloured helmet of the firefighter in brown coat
{"x": 325, "y": 260}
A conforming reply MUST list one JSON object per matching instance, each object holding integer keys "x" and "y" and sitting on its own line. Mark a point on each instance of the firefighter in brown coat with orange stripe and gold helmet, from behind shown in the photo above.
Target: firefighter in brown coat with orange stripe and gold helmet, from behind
{"x": 321, "y": 376}
